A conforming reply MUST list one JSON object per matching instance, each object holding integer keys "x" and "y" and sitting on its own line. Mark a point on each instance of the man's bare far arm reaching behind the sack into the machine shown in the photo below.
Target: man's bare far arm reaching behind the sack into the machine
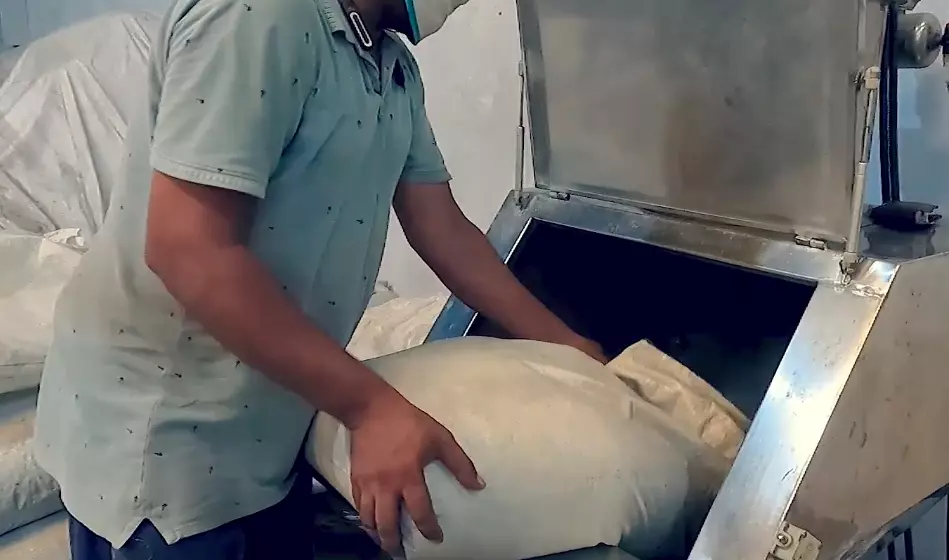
{"x": 462, "y": 258}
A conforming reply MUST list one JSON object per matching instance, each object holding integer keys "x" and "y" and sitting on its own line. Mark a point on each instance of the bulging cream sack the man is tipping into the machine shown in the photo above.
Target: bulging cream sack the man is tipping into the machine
{"x": 572, "y": 455}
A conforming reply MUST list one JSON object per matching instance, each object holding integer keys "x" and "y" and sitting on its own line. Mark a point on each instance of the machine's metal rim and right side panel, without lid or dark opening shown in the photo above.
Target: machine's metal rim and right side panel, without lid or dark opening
{"x": 848, "y": 345}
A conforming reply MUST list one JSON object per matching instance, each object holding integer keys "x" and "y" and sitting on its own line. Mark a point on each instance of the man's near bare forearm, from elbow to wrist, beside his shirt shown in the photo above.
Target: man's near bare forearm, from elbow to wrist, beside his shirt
{"x": 236, "y": 299}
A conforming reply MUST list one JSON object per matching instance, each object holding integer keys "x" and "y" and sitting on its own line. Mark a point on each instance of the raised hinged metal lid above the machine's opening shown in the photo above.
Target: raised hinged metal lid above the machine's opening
{"x": 740, "y": 110}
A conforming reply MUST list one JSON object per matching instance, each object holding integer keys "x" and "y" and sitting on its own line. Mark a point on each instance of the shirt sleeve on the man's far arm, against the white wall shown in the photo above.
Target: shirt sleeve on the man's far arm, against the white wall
{"x": 425, "y": 163}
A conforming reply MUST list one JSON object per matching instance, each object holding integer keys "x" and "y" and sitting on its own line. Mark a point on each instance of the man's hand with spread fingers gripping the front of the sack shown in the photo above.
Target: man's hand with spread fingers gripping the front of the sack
{"x": 391, "y": 446}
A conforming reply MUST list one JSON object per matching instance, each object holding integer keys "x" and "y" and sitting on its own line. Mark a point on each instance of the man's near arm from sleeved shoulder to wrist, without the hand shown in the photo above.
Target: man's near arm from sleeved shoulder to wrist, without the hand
{"x": 216, "y": 142}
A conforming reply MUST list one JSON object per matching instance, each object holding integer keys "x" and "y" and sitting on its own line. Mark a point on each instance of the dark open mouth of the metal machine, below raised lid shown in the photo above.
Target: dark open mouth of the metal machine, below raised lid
{"x": 729, "y": 325}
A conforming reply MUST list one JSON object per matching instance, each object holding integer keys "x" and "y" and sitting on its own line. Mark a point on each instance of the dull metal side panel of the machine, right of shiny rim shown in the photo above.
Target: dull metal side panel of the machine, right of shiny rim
{"x": 886, "y": 446}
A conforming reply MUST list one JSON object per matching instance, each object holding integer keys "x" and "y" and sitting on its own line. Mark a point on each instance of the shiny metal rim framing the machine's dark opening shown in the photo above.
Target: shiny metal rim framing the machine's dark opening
{"x": 764, "y": 480}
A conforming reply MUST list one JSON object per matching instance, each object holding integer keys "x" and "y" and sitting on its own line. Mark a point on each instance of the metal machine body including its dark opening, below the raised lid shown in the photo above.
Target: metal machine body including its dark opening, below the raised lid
{"x": 840, "y": 374}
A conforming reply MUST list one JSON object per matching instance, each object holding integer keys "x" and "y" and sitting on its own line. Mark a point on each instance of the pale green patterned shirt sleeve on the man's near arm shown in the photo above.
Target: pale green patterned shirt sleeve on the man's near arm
{"x": 236, "y": 77}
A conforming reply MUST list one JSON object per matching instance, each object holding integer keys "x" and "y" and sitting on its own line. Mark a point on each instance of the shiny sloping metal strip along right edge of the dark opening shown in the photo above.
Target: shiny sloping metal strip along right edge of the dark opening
{"x": 752, "y": 504}
